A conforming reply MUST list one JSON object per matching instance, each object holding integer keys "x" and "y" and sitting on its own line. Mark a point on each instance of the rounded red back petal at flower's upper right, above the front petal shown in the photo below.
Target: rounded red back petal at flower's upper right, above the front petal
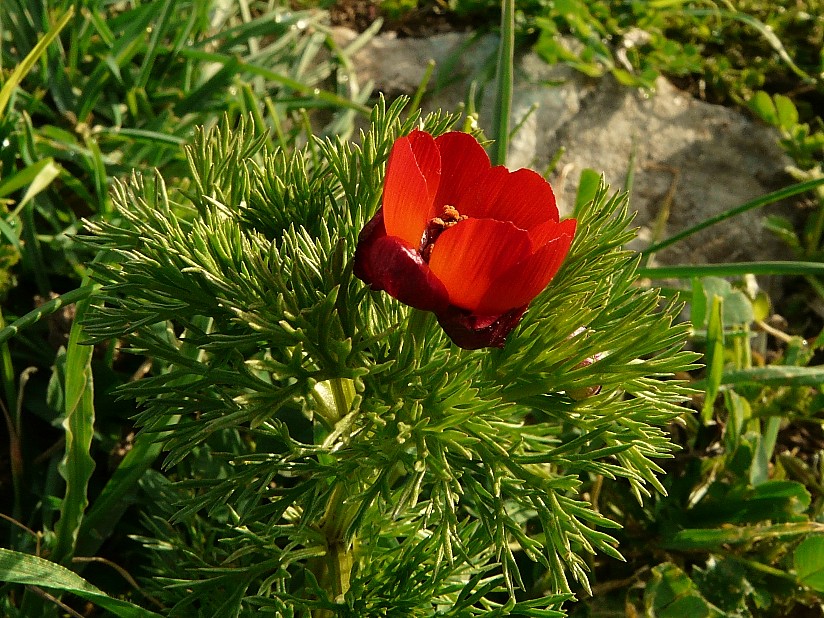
{"x": 522, "y": 197}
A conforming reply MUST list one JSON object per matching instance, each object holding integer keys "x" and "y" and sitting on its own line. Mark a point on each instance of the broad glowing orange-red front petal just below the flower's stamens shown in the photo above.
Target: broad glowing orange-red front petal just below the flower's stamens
{"x": 472, "y": 254}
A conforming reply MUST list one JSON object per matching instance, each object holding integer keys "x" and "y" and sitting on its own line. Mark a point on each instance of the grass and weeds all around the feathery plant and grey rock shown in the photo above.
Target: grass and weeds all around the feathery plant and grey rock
{"x": 92, "y": 91}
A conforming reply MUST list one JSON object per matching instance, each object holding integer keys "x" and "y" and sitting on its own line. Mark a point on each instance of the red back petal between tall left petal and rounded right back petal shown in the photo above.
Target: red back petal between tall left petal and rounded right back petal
{"x": 463, "y": 162}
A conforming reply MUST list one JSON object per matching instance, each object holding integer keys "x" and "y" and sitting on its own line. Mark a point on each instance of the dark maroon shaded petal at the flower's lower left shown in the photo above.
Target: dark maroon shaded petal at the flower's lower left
{"x": 387, "y": 263}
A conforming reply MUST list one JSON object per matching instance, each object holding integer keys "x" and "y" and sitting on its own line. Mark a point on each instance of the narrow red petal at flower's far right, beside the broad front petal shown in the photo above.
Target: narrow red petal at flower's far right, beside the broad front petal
{"x": 523, "y": 281}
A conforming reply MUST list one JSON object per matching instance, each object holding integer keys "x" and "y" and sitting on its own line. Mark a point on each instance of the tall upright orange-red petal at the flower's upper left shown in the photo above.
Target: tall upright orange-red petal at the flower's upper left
{"x": 407, "y": 203}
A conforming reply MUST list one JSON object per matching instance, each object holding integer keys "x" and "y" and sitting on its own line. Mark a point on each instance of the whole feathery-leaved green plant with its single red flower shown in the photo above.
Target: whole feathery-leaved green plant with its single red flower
{"x": 331, "y": 450}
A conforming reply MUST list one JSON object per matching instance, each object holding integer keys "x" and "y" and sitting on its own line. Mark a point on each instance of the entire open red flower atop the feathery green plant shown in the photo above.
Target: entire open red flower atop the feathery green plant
{"x": 470, "y": 242}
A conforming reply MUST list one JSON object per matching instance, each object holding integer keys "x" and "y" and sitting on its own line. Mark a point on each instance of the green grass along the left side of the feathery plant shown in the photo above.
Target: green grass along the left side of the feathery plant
{"x": 88, "y": 96}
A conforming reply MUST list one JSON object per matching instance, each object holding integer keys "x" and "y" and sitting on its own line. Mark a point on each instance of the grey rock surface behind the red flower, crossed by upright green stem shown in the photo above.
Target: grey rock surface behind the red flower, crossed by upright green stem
{"x": 692, "y": 160}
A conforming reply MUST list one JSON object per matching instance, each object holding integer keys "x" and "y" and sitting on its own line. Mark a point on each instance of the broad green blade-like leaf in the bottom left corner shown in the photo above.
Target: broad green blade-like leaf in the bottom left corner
{"x": 20, "y": 568}
